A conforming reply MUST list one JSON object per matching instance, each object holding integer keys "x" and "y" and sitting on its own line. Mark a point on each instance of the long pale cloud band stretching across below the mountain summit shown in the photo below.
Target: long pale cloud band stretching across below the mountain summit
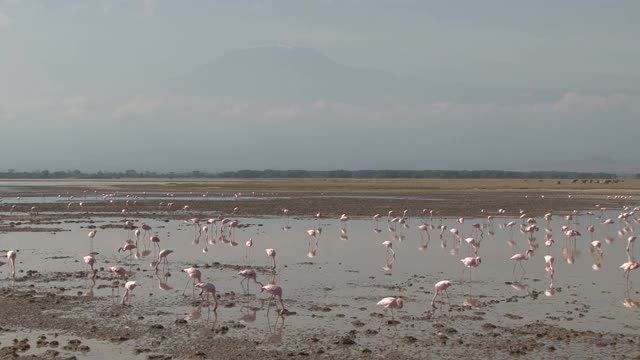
{"x": 168, "y": 110}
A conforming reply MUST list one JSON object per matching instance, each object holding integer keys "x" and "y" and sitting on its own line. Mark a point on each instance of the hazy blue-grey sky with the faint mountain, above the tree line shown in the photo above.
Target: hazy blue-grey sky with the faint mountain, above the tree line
{"x": 218, "y": 85}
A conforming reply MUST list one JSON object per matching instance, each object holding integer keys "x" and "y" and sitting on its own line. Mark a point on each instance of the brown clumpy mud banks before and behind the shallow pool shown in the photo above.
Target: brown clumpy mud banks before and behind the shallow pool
{"x": 460, "y": 332}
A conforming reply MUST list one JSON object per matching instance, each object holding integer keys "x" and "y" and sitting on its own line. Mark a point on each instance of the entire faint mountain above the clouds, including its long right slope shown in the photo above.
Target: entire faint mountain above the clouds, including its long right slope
{"x": 297, "y": 73}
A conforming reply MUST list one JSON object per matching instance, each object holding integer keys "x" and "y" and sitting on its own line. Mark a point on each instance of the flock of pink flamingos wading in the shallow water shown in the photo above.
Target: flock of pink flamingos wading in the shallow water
{"x": 223, "y": 230}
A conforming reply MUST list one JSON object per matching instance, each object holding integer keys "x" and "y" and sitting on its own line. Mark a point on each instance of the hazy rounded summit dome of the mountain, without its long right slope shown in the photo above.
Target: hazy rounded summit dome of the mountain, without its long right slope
{"x": 291, "y": 73}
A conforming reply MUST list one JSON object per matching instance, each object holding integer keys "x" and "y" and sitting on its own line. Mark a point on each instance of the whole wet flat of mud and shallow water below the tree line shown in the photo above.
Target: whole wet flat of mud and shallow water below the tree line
{"x": 331, "y": 284}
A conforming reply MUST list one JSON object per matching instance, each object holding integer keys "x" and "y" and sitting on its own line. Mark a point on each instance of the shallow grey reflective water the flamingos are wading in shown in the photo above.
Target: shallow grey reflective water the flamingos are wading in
{"x": 340, "y": 261}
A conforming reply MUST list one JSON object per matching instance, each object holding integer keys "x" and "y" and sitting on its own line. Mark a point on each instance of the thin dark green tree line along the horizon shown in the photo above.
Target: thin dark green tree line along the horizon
{"x": 331, "y": 174}
